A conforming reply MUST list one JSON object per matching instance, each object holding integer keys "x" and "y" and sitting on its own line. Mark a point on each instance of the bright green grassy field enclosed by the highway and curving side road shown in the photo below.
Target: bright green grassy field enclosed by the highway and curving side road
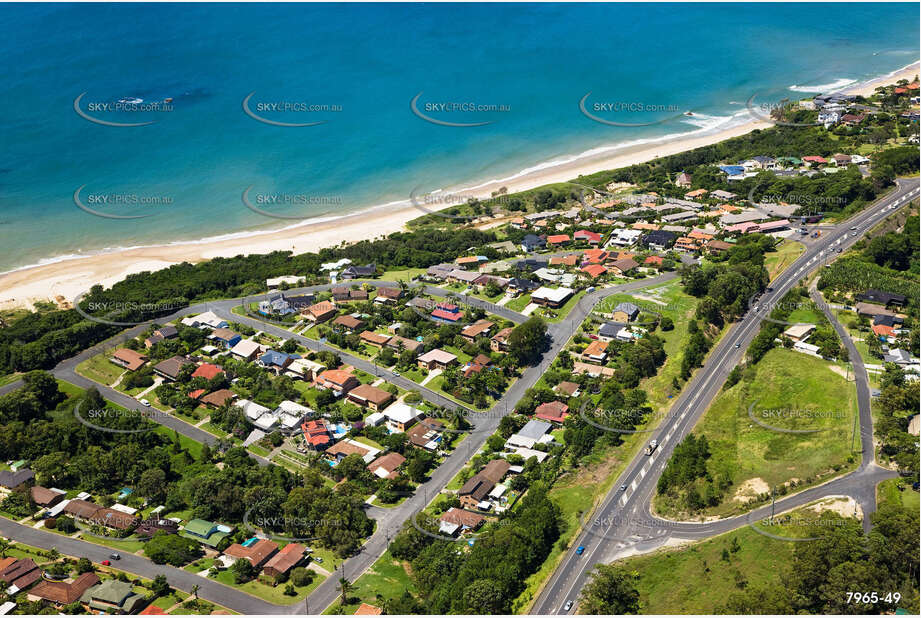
{"x": 789, "y": 391}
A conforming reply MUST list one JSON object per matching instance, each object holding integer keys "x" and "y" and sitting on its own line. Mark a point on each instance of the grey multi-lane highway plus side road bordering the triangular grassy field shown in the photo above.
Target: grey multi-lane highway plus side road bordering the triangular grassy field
{"x": 622, "y": 524}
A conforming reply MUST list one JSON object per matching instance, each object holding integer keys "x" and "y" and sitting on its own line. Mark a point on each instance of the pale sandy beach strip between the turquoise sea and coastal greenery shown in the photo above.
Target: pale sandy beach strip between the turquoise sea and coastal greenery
{"x": 68, "y": 276}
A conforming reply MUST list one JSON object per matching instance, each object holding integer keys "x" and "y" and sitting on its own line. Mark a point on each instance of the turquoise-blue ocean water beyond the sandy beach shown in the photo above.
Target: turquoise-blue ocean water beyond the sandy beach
{"x": 366, "y": 63}
